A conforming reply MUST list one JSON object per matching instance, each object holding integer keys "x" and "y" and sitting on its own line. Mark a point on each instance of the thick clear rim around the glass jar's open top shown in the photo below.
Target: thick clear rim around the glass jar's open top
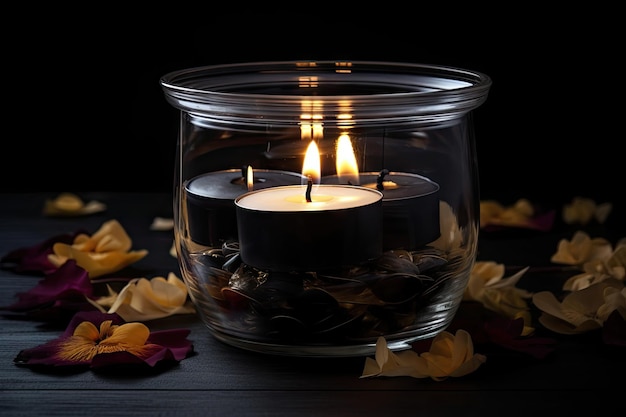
{"x": 276, "y": 90}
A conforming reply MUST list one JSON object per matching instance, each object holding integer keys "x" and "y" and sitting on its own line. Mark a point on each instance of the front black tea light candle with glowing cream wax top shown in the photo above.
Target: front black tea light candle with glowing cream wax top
{"x": 280, "y": 230}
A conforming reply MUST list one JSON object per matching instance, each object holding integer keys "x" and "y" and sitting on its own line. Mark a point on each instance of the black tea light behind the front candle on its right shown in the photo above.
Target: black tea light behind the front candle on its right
{"x": 410, "y": 207}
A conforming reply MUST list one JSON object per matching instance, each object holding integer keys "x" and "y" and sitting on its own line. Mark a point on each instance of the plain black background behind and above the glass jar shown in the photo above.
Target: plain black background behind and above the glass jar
{"x": 84, "y": 110}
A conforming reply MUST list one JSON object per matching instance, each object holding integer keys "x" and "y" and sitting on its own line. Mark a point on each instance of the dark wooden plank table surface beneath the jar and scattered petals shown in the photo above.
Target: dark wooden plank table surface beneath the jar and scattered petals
{"x": 582, "y": 376}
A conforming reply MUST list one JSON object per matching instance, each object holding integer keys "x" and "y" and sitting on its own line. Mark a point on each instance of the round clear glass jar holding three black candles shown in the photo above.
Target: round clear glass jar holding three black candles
{"x": 319, "y": 205}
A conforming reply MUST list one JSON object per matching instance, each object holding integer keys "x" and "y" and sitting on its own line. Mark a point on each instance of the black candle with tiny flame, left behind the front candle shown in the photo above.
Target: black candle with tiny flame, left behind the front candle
{"x": 210, "y": 200}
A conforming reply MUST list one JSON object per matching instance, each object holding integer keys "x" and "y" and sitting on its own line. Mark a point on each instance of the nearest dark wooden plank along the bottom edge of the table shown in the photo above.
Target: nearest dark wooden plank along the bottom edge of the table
{"x": 241, "y": 403}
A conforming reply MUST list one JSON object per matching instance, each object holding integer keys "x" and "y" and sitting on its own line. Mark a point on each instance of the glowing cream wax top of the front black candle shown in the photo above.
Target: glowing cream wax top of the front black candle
{"x": 323, "y": 197}
